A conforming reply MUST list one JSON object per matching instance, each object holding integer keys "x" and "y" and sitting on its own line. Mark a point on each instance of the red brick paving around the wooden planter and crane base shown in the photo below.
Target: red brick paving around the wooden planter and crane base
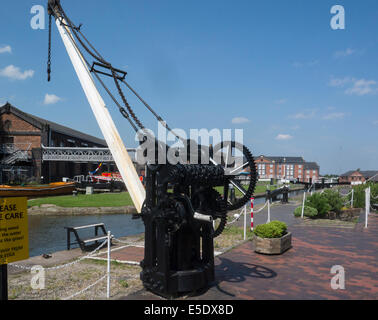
{"x": 303, "y": 272}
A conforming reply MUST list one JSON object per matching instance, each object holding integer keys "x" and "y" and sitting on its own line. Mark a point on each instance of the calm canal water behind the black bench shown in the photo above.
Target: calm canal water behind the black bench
{"x": 47, "y": 234}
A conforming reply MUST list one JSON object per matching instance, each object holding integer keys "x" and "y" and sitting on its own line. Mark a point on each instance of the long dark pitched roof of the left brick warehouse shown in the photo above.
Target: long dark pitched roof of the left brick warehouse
{"x": 40, "y": 123}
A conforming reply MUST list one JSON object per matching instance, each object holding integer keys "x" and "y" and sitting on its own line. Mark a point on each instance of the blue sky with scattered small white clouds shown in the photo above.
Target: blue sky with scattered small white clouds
{"x": 276, "y": 69}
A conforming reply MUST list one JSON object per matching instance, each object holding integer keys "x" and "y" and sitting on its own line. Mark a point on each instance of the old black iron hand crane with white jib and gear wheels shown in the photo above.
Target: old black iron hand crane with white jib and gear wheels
{"x": 184, "y": 205}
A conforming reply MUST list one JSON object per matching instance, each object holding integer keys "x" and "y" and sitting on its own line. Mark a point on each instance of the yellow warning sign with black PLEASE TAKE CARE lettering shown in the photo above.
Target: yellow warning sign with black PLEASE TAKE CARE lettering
{"x": 14, "y": 231}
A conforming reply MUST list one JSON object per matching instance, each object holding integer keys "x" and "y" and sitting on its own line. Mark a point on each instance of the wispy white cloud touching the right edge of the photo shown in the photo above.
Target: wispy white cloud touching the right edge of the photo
{"x": 355, "y": 86}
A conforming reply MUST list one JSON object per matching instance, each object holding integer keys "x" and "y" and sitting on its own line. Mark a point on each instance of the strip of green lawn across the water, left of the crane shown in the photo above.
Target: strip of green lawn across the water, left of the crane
{"x": 82, "y": 200}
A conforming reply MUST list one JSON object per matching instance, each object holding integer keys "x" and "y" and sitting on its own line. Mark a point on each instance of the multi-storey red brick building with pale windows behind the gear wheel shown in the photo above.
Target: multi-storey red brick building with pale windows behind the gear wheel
{"x": 291, "y": 168}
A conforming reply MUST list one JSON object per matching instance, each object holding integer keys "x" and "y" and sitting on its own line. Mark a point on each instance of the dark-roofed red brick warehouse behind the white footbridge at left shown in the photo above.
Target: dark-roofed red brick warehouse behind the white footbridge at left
{"x": 21, "y": 138}
